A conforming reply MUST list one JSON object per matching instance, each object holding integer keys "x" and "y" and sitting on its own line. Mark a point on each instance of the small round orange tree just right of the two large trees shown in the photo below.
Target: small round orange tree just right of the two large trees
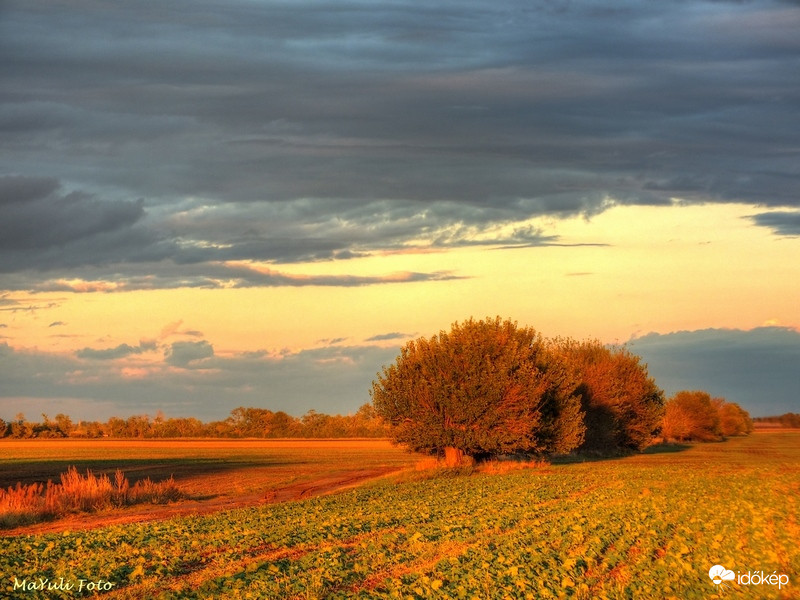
{"x": 691, "y": 416}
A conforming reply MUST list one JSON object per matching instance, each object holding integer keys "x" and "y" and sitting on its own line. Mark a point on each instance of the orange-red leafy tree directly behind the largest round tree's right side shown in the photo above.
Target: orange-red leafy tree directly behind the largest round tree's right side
{"x": 623, "y": 405}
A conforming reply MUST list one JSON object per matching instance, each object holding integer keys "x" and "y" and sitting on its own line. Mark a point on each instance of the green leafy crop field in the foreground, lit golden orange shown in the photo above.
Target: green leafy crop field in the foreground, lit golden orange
{"x": 645, "y": 526}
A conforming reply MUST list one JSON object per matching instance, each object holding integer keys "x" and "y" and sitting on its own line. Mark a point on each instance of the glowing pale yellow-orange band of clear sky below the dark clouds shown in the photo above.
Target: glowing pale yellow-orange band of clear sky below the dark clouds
{"x": 628, "y": 271}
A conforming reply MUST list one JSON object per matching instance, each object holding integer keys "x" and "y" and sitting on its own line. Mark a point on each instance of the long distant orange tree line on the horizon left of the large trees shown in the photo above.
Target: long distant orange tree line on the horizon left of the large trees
{"x": 242, "y": 423}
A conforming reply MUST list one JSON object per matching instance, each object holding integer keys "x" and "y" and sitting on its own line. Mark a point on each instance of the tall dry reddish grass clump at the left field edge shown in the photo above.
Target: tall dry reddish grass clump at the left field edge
{"x": 23, "y": 504}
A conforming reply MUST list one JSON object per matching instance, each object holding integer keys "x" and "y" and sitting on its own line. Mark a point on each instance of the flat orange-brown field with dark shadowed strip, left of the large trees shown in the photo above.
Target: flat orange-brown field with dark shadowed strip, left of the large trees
{"x": 214, "y": 474}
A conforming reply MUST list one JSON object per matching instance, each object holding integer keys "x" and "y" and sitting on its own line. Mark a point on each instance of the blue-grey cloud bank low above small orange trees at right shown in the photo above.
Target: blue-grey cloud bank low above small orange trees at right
{"x": 756, "y": 368}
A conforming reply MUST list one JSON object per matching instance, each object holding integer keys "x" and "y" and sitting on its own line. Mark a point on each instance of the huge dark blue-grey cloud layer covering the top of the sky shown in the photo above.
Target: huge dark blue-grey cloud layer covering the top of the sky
{"x": 189, "y": 133}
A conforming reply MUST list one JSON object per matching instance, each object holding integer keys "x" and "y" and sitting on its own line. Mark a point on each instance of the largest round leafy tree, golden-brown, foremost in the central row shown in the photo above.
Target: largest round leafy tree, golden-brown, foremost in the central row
{"x": 483, "y": 388}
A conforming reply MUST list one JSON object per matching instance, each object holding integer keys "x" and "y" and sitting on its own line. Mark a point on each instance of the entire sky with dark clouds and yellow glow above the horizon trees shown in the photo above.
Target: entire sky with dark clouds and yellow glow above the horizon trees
{"x": 207, "y": 204}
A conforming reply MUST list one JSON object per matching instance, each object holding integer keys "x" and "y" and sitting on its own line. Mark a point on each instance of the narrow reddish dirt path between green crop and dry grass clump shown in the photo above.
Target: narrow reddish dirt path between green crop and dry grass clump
{"x": 136, "y": 514}
